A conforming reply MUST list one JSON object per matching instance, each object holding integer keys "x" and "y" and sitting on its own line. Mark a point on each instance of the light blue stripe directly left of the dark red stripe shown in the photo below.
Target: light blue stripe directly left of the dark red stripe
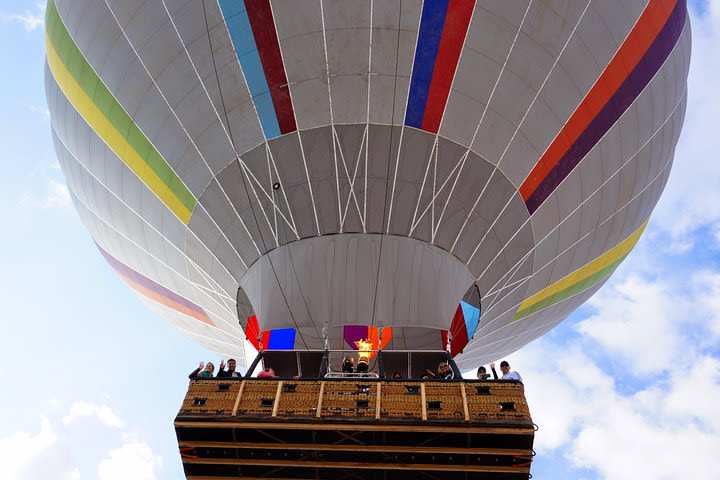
{"x": 238, "y": 24}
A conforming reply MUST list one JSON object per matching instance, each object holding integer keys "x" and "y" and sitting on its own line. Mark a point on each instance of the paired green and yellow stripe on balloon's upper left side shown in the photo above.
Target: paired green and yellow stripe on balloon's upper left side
{"x": 98, "y": 107}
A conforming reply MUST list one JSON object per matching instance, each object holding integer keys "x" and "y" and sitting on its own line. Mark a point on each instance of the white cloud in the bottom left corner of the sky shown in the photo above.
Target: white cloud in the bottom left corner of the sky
{"x": 25, "y": 456}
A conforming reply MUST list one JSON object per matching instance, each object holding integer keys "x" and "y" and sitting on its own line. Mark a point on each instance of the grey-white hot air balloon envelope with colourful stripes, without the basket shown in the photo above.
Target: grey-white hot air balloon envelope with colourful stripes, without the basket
{"x": 449, "y": 174}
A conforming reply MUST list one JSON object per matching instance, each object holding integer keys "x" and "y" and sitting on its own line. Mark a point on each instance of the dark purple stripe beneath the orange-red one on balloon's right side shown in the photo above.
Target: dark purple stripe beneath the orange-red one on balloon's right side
{"x": 621, "y": 100}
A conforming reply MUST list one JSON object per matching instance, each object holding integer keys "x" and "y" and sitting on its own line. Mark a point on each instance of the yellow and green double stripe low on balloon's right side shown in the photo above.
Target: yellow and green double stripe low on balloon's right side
{"x": 581, "y": 279}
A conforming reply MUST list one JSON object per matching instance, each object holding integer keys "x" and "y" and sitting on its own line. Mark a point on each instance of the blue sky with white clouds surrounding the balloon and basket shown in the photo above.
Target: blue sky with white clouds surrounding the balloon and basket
{"x": 626, "y": 388}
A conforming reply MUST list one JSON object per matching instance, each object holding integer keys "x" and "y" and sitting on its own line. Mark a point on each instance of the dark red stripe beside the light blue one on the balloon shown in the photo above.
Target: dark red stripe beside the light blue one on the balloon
{"x": 263, "y": 26}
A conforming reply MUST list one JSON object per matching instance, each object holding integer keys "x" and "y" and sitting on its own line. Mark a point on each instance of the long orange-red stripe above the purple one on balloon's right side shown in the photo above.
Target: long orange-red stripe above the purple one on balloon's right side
{"x": 643, "y": 34}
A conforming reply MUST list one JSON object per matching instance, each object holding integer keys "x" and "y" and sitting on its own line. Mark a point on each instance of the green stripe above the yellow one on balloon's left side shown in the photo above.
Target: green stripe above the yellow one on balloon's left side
{"x": 106, "y": 103}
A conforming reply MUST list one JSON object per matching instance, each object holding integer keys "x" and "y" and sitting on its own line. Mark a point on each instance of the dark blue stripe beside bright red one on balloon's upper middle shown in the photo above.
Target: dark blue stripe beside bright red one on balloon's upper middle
{"x": 431, "y": 26}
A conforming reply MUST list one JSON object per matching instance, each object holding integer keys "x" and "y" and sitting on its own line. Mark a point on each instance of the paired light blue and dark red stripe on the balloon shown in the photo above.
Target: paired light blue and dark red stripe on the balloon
{"x": 252, "y": 30}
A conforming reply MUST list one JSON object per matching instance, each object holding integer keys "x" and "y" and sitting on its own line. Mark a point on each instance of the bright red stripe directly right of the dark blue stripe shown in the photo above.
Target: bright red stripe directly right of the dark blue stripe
{"x": 457, "y": 21}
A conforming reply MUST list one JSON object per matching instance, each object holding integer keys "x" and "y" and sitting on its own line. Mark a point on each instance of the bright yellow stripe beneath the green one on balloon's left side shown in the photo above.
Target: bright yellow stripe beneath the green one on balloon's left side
{"x": 114, "y": 139}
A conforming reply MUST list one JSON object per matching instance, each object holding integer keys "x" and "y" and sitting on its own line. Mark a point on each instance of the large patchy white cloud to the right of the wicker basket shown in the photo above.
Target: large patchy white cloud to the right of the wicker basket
{"x": 660, "y": 333}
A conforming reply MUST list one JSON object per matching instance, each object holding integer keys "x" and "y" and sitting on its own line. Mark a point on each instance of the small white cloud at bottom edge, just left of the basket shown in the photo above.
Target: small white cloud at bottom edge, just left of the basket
{"x": 133, "y": 459}
